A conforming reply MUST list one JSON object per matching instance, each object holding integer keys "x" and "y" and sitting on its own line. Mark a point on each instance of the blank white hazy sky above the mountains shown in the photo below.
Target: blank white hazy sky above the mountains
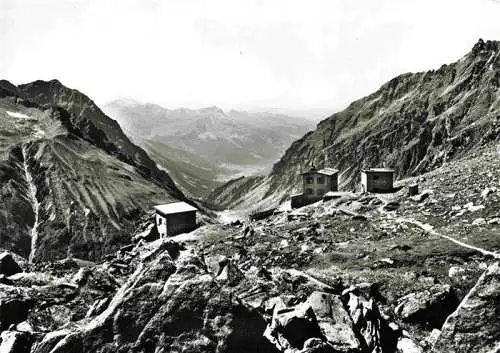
{"x": 285, "y": 54}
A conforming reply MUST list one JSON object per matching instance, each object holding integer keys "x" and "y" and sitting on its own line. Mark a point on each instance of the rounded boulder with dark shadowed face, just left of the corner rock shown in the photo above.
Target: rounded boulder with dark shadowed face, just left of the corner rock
{"x": 429, "y": 308}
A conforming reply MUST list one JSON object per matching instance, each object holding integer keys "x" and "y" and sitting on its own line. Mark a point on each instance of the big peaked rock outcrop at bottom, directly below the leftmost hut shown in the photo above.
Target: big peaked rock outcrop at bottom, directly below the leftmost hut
{"x": 168, "y": 304}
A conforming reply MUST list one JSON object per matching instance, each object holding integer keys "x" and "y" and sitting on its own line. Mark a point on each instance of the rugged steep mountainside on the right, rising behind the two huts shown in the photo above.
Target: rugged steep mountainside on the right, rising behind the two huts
{"x": 413, "y": 123}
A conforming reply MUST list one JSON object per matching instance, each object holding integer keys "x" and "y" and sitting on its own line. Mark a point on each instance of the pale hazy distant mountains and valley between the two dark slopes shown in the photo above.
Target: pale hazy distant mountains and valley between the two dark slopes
{"x": 202, "y": 148}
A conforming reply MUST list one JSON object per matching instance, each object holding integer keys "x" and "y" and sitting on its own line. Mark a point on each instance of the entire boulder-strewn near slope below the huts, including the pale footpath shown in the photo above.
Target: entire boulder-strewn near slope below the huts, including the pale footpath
{"x": 361, "y": 273}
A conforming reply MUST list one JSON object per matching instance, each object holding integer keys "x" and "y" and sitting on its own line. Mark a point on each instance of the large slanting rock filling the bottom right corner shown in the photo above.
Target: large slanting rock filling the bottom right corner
{"x": 475, "y": 325}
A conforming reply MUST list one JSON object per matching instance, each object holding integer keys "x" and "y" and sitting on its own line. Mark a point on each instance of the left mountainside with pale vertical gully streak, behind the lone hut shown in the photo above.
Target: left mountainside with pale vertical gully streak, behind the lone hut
{"x": 71, "y": 183}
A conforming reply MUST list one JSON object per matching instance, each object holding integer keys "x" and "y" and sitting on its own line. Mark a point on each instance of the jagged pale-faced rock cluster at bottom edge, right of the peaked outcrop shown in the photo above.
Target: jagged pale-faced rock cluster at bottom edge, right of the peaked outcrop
{"x": 330, "y": 323}
